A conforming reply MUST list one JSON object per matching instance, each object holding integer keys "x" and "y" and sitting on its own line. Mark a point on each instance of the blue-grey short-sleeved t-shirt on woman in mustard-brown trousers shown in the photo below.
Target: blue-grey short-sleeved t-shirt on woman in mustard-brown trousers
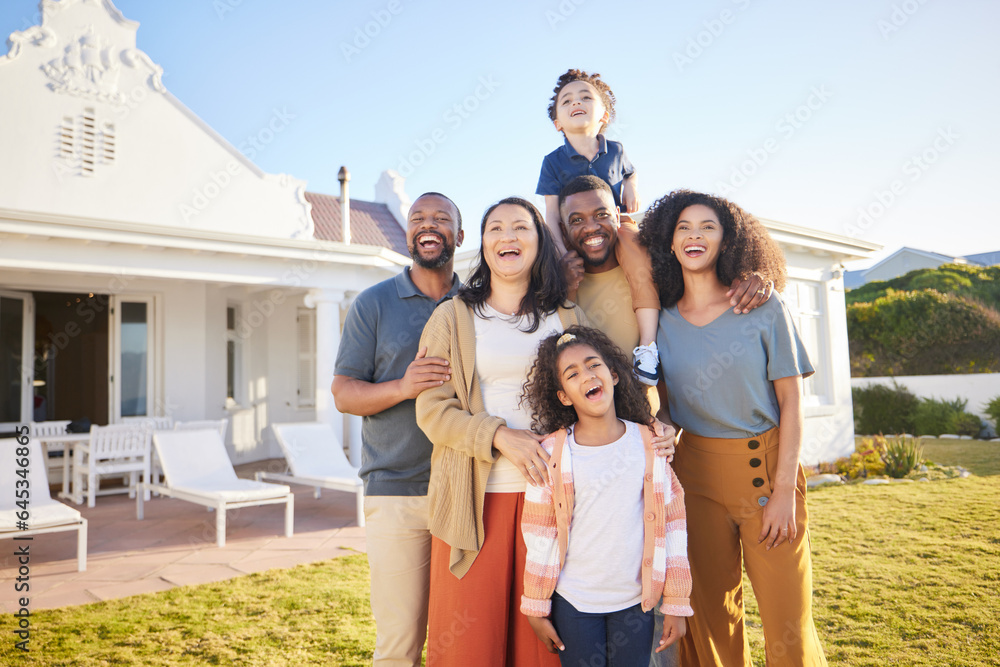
{"x": 719, "y": 376}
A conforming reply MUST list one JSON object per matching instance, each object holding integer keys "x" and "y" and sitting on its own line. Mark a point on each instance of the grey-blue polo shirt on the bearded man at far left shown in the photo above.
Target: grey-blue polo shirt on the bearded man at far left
{"x": 380, "y": 339}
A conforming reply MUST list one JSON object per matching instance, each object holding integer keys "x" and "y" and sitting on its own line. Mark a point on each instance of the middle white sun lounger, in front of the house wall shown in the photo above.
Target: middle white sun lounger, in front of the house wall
{"x": 197, "y": 469}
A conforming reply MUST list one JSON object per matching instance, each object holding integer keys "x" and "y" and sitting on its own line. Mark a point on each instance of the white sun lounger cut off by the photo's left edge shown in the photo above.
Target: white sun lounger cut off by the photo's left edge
{"x": 44, "y": 514}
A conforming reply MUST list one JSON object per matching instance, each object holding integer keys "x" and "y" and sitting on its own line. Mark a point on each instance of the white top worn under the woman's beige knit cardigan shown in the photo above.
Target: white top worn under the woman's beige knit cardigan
{"x": 504, "y": 354}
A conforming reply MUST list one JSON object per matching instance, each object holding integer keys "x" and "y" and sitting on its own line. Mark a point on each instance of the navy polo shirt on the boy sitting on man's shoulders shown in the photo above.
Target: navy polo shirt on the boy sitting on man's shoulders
{"x": 564, "y": 164}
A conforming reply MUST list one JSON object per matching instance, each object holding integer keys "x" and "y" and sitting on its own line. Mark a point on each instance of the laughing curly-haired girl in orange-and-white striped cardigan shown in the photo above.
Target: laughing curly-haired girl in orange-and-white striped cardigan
{"x": 590, "y": 583}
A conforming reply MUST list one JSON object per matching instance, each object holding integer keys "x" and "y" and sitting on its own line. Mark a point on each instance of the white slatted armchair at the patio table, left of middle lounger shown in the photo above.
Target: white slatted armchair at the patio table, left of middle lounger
{"x": 112, "y": 450}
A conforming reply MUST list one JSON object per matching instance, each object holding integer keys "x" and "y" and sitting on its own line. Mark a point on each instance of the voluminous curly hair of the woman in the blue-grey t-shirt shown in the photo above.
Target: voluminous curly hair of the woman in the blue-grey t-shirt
{"x": 747, "y": 247}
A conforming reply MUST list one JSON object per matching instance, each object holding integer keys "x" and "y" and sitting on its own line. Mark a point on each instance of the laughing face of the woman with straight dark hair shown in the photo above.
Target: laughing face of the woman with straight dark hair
{"x": 510, "y": 242}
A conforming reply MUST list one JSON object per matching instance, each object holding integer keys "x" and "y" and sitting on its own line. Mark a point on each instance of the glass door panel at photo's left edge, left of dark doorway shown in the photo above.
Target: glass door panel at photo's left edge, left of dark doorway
{"x": 16, "y": 359}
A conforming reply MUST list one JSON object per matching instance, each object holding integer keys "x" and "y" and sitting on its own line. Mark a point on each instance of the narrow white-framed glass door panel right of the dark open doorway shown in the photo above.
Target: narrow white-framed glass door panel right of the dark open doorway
{"x": 132, "y": 367}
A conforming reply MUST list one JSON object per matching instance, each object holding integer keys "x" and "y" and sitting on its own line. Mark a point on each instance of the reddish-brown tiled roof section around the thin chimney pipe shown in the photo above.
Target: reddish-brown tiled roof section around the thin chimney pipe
{"x": 371, "y": 223}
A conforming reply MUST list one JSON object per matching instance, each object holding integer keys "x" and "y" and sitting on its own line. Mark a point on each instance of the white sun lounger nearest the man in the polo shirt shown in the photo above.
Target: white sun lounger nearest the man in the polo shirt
{"x": 316, "y": 458}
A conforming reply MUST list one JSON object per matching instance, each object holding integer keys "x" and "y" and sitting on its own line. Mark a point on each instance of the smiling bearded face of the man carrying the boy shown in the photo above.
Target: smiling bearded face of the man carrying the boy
{"x": 590, "y": 220}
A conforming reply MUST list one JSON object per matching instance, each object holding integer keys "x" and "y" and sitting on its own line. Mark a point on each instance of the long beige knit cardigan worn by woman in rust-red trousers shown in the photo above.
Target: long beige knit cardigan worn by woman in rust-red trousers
{"x": 455, "y": 420}
